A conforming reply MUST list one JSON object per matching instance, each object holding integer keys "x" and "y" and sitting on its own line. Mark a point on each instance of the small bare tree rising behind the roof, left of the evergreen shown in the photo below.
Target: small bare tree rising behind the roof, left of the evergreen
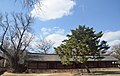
{"x": 44, "y": 45}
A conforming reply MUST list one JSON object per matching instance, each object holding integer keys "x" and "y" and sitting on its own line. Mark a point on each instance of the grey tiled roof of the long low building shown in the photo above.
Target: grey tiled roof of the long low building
{"x": 55, "y": 57}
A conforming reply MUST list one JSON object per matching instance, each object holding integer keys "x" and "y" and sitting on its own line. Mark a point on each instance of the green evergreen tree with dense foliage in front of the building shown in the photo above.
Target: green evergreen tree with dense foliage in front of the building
{"x": 81, "y": 44}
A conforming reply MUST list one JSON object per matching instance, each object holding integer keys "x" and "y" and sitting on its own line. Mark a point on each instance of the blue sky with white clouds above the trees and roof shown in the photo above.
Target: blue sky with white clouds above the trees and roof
{"x": 58, "y": 17}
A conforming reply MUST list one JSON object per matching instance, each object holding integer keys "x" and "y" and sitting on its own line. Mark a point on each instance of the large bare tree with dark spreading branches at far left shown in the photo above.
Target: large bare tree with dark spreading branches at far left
{"x": 15, "y": 37}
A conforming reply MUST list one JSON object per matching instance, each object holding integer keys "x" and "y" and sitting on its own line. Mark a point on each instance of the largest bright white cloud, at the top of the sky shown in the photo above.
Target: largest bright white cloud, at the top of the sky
{"x": 52, "y": 9}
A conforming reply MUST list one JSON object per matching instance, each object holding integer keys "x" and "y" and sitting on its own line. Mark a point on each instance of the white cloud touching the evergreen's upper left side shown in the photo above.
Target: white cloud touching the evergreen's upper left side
{"x": 56, "y": 38}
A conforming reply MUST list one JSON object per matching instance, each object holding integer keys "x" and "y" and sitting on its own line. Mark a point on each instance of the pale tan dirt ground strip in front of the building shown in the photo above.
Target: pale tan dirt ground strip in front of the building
{"x": 95, "y": 72}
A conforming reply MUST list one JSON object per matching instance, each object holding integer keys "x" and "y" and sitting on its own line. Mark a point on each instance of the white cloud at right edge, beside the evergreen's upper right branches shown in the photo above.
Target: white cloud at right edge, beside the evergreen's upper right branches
{"x": 113, "y": 38}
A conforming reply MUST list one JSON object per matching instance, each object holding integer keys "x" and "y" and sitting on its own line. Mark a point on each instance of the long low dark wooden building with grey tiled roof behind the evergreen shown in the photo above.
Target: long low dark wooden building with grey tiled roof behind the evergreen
{"x": 52, "y": 61}
